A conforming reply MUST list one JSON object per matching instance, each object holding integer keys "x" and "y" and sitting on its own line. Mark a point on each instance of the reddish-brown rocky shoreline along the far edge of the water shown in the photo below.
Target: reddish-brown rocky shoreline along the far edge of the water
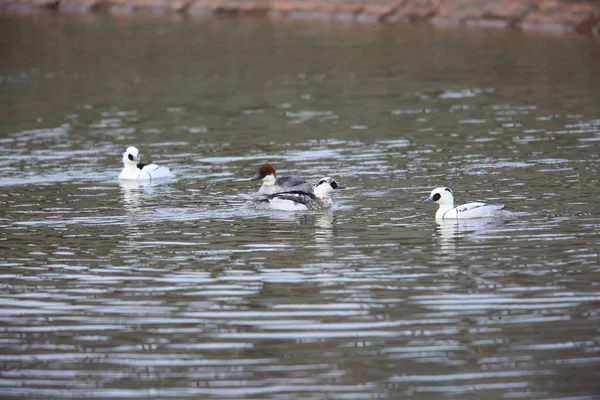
{"x": 581, "y": 16}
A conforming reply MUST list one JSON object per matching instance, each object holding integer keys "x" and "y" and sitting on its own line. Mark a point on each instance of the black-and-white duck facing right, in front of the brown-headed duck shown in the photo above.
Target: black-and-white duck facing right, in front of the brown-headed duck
{"x": 301, "y": 200}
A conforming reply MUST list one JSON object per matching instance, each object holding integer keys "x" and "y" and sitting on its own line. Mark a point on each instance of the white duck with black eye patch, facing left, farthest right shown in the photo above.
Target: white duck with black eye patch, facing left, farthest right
{"x": 444, "y": 197}
